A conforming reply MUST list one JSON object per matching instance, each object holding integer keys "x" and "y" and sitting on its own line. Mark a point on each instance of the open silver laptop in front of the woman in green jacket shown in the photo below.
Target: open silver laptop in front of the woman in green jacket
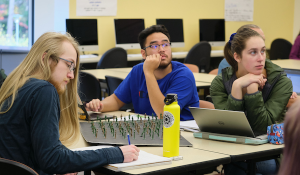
{"x": 223, "y": 122}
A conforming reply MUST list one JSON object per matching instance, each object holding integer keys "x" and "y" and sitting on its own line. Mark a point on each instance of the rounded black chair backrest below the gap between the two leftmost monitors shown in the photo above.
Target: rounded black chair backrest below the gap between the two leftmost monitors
{"x": 113, "y": 58}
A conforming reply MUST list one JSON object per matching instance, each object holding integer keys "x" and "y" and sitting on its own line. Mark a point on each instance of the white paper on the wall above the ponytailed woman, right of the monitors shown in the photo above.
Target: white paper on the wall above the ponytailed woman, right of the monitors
{"x": 239, "y": 10}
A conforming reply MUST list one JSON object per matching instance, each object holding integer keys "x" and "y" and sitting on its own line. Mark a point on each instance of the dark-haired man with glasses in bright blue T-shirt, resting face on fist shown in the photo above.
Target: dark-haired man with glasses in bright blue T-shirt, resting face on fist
{"x": 148, "y": 83}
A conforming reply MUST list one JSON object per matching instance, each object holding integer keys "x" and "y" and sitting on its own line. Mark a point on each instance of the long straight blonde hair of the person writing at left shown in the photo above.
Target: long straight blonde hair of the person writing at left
{"x": 36, "y": 65}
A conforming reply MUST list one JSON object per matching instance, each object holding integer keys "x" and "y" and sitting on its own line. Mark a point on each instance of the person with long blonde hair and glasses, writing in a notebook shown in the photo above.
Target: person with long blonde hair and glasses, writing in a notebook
{"x": 38, "y": 115}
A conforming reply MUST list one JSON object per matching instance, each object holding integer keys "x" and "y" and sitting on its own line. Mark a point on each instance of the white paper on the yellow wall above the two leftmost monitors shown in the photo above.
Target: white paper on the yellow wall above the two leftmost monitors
{"x": 96, "y": 7}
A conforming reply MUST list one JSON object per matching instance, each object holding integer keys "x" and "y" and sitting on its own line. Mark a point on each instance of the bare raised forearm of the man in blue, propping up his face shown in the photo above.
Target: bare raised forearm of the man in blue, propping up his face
{"x": 155, "y": 96}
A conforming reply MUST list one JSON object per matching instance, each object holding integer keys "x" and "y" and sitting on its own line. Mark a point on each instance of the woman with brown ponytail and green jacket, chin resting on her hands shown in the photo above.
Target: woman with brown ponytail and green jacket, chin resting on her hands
{"x": 252, "y": 84}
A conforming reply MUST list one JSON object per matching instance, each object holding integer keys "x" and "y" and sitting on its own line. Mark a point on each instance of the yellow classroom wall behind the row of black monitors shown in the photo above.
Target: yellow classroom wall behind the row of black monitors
{"x": 276, "y": 18}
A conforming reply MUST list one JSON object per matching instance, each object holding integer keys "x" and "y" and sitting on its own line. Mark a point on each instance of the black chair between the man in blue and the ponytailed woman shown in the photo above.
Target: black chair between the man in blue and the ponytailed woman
{"x": 199, "y": 55}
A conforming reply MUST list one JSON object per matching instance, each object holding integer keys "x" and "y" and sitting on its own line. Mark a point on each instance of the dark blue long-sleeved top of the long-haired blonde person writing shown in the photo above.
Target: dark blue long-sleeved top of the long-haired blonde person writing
{"x": 30, "y": 134}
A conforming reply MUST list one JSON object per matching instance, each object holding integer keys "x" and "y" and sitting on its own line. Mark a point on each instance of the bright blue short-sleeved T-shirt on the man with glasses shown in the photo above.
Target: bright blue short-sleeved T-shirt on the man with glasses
{"x": 180, "y": 81}
